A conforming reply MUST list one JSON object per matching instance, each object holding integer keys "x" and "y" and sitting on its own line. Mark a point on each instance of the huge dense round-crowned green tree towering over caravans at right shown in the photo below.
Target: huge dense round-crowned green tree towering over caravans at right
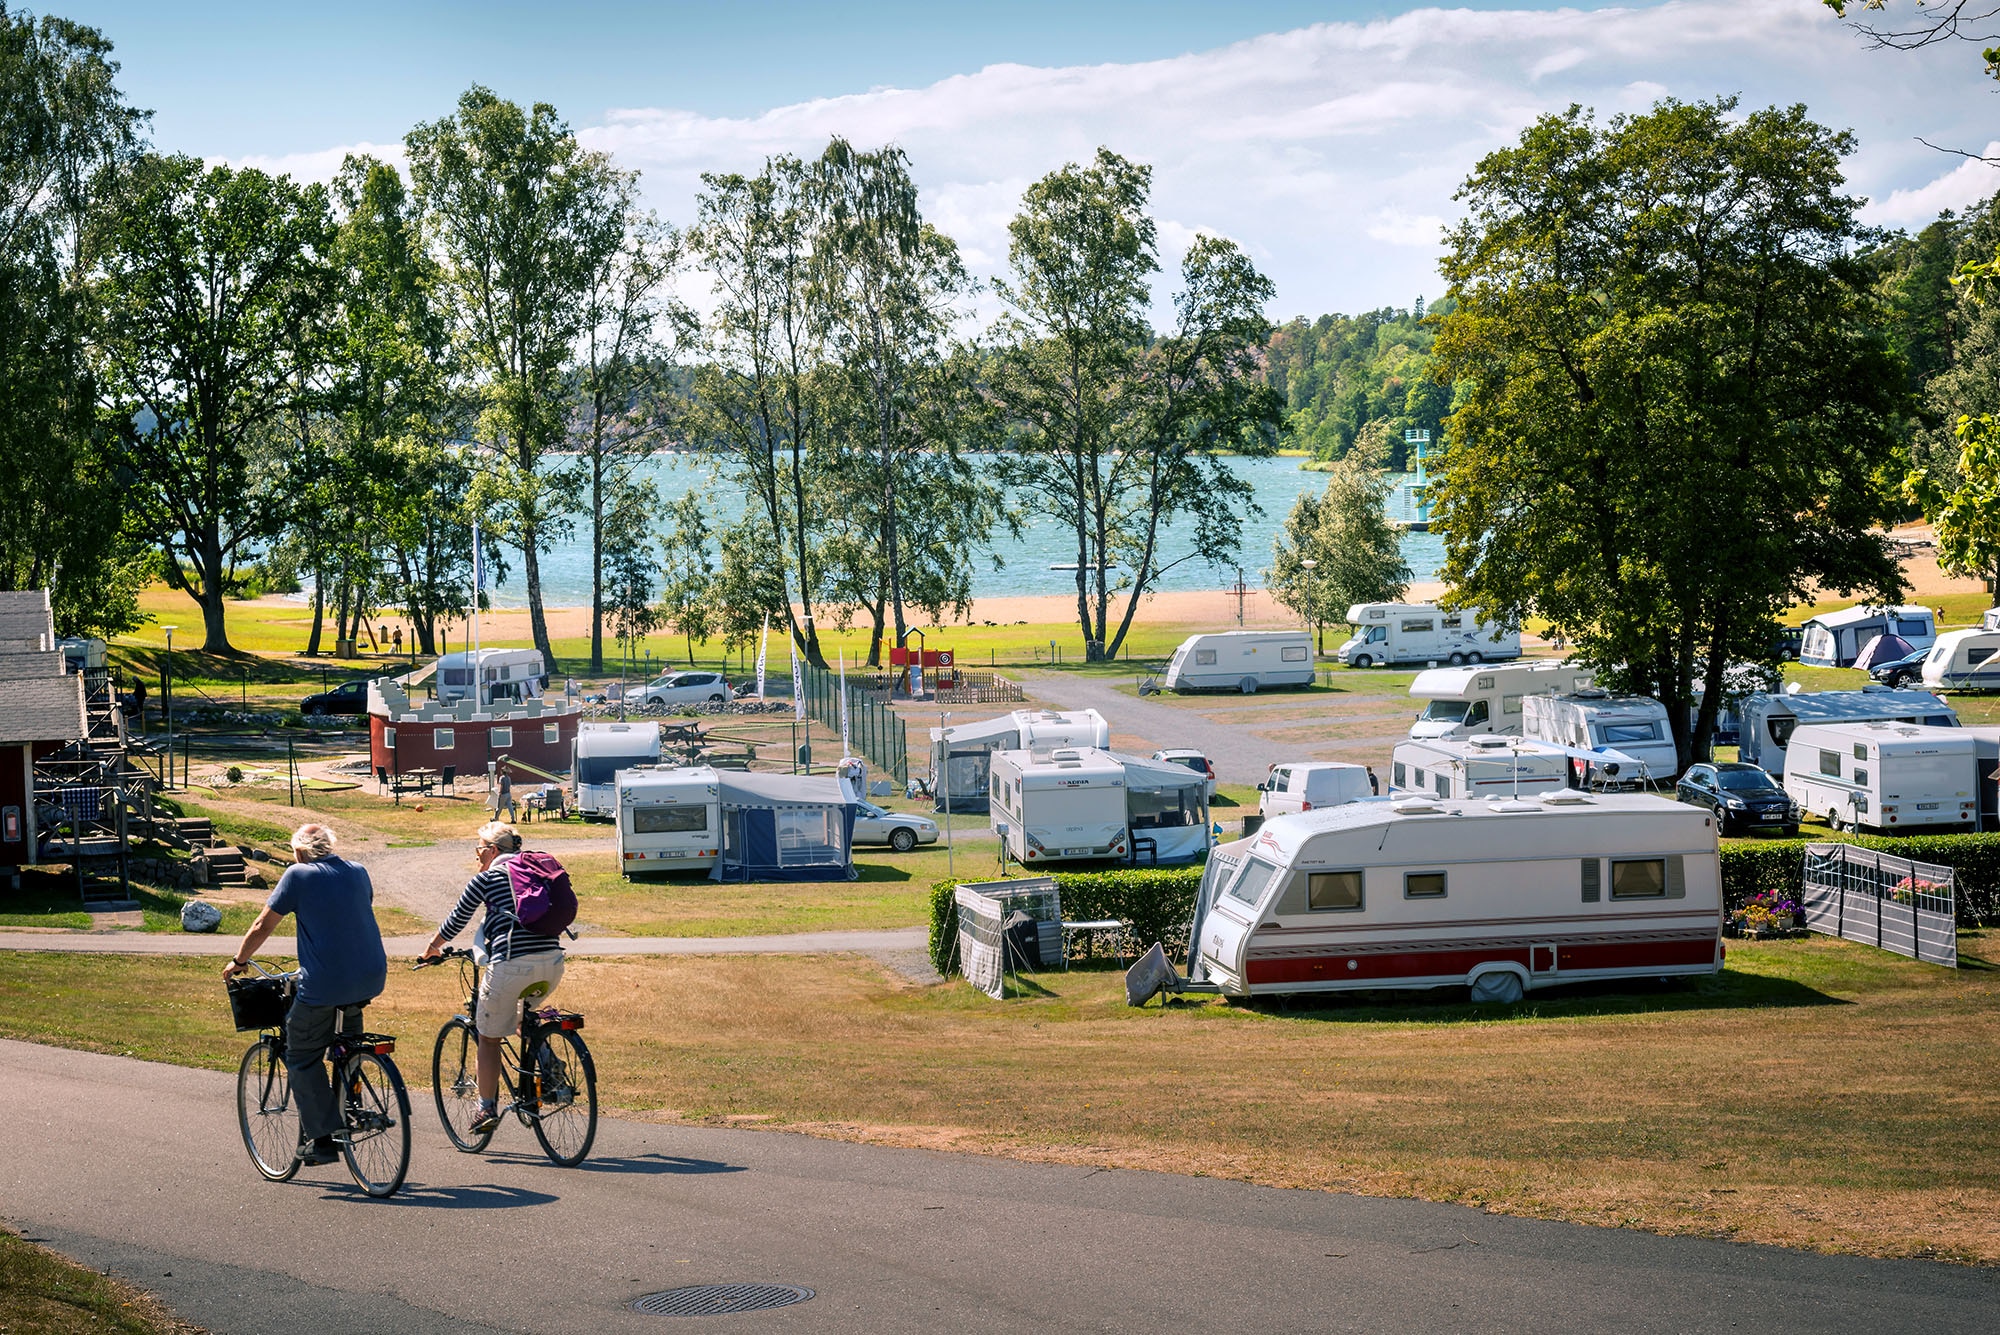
{"x": 1679, "y": 407}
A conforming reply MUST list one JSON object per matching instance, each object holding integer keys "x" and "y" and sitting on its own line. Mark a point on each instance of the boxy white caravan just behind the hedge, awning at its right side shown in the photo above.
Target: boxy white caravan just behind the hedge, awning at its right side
{"x": 1063, "y": 806}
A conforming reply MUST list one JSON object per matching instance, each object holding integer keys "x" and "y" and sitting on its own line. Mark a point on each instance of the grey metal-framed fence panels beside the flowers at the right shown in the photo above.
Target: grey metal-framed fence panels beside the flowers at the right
{"x": 1883, "y": 900}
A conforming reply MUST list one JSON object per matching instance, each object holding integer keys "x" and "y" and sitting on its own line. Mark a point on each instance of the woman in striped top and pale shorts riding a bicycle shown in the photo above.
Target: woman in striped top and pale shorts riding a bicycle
{"x": 521, "y": 964}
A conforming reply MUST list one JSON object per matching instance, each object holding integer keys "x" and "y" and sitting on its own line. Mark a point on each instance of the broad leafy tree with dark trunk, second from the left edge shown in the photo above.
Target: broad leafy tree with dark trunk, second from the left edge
{"x": 213, "y": 285}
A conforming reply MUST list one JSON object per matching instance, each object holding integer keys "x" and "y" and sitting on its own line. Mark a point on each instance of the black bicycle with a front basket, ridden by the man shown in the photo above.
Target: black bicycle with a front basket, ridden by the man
{"x": 375, "y": 1106}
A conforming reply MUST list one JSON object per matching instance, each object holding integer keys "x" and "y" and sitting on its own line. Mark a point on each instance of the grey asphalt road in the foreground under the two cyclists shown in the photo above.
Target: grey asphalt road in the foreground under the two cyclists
{"x": 137, "y": 1168}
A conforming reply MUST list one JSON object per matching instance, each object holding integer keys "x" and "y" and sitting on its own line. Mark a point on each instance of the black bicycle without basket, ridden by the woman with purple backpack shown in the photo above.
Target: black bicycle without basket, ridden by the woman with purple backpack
{"x": 551, "y": 1080}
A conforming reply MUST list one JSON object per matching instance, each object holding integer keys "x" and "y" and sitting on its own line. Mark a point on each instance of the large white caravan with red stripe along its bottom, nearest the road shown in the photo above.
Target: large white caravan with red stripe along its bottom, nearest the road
{"x": 1499, "y": 896}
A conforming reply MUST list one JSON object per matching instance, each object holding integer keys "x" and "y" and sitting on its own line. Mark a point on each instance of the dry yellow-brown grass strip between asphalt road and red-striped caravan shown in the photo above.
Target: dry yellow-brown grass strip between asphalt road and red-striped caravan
{"x": 1817, "y": 1094}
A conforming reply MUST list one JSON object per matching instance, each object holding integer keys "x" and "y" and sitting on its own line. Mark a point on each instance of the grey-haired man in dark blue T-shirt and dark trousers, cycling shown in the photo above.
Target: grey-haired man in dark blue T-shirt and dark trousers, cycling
{"x": 343, "y": 968}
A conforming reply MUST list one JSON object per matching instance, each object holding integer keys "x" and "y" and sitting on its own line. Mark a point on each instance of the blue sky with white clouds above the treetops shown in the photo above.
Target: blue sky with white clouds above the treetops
{"x": 1327, "y": 137}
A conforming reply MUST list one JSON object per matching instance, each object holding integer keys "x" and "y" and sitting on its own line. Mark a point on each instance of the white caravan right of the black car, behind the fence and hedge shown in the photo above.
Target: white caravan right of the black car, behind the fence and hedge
{"x": 1885, "y": 776}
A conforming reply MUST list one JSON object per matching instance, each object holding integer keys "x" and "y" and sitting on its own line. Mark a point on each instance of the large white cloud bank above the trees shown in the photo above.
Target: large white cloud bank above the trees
{"x": 1333, "y": 153}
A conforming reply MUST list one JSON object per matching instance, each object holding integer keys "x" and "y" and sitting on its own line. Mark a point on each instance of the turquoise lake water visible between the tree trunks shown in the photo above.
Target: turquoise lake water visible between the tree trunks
{"x": 1027, "y": 561}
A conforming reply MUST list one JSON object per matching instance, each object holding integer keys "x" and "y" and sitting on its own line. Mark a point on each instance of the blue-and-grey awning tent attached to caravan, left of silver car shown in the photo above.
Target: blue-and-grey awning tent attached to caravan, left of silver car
{"x": 785, "y": 828}
